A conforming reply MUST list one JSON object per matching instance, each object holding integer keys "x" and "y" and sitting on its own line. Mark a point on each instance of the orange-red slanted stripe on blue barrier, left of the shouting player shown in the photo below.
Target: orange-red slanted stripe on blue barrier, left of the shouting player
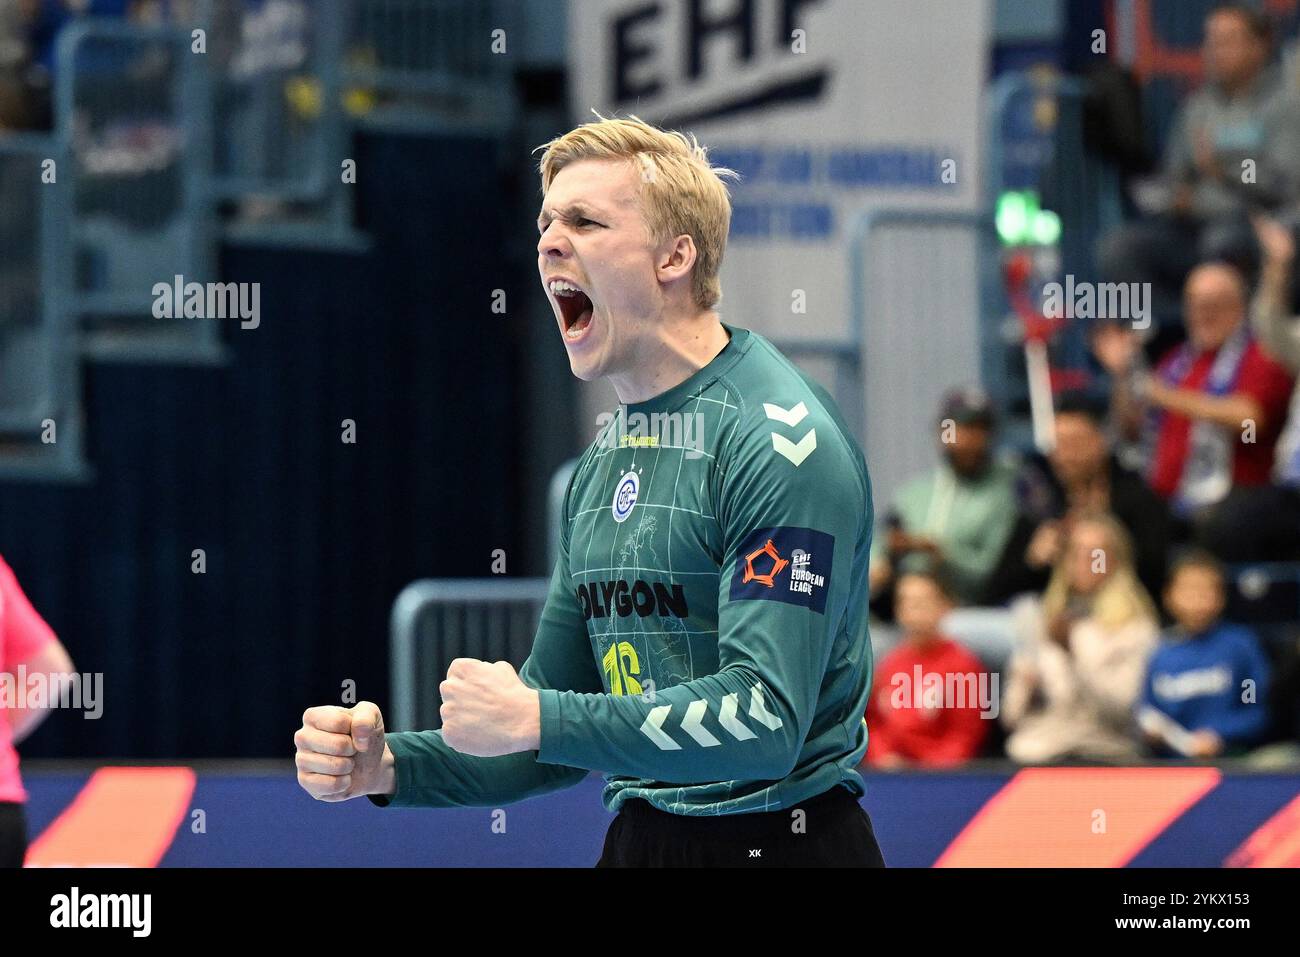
{"x": 125, "y": 817}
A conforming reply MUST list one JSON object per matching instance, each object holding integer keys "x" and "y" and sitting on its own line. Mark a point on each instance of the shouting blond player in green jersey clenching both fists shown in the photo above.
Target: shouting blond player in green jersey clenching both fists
{"x": 704, "y": 642}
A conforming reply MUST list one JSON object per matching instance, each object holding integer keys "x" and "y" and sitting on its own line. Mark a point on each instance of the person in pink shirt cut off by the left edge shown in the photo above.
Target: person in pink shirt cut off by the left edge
{"x": 28, "y": 642}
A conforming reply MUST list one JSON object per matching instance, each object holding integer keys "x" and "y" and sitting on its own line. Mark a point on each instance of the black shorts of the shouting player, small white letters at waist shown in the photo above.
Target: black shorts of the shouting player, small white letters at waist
{"x": 833, "y": 833}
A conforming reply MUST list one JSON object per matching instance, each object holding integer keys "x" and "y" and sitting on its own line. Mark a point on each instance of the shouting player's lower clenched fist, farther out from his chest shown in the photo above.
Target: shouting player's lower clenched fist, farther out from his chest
{"x": 343, "y": 755}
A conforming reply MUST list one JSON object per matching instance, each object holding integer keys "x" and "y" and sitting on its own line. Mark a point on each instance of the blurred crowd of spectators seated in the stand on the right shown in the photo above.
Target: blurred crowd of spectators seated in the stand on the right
{"x": 1134, "y": 583}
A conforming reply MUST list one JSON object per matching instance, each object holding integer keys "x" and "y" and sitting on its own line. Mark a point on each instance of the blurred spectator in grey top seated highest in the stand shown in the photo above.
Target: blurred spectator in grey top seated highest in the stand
{"x": 1241, "y": 114}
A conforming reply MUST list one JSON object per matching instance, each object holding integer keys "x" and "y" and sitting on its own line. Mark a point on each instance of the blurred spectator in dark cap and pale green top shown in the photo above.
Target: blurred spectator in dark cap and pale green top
{"x": 961, "y": 514}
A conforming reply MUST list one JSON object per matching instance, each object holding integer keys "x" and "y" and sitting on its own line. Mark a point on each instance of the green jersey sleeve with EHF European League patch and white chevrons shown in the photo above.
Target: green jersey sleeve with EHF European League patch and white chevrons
{"x": 792, "y": 519}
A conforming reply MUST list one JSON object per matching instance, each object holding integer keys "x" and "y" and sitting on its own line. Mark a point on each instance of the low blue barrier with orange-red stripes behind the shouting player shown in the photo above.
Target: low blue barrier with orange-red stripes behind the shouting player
{"x": 244, "y": 815}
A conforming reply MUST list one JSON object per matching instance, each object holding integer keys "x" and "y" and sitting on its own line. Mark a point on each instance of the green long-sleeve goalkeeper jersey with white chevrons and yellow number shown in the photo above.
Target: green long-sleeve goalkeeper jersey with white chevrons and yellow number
{"x": 704, "y": 642}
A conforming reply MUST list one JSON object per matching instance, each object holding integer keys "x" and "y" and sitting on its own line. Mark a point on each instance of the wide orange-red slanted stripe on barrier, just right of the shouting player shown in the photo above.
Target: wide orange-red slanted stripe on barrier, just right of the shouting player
{"x": 1077, "y": 817}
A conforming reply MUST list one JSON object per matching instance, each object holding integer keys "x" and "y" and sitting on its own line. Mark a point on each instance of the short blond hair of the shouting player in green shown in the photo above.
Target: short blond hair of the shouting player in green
{"x": 682, "y": 193}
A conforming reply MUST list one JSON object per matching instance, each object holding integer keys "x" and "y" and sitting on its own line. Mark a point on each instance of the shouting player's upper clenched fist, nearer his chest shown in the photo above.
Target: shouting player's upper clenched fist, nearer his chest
{"x": 488, "y": 711}
